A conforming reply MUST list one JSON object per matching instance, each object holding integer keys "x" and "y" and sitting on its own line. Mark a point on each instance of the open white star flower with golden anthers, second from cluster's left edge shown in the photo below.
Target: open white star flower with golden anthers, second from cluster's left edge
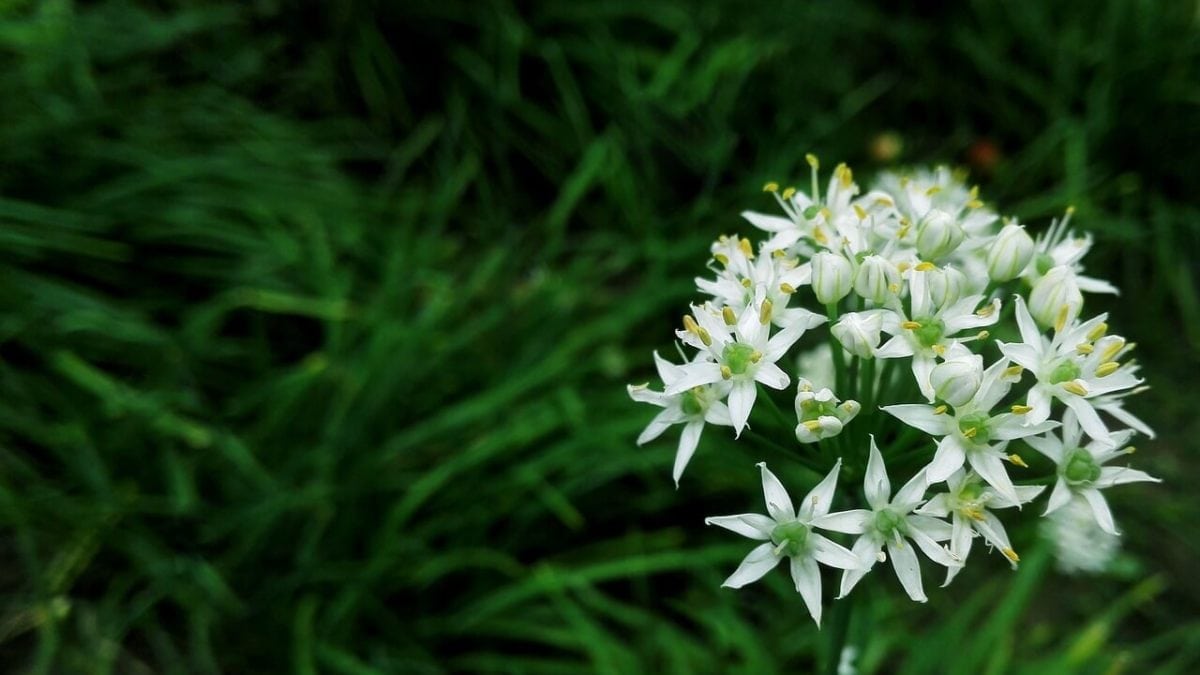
{"x": 743, "y": 353}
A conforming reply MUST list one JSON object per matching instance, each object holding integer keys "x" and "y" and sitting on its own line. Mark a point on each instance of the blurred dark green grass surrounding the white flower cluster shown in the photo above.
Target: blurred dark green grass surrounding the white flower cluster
{"x": 317, "y": 318}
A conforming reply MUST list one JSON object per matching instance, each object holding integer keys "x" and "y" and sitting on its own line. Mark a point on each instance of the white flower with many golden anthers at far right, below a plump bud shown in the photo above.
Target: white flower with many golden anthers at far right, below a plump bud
{"x": 1078, "y": 366}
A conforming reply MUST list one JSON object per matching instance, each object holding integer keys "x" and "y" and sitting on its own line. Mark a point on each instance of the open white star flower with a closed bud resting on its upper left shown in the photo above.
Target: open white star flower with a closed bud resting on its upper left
{"x": 971, "y": 434}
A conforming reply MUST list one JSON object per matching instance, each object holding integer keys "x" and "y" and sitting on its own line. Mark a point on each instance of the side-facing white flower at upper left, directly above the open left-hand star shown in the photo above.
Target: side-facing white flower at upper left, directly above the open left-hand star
{"x": 747, "y": 282}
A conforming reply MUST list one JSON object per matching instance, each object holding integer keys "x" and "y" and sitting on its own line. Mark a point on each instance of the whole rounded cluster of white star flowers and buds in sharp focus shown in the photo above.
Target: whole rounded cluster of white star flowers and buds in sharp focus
{"x": 915, "y": 270}
